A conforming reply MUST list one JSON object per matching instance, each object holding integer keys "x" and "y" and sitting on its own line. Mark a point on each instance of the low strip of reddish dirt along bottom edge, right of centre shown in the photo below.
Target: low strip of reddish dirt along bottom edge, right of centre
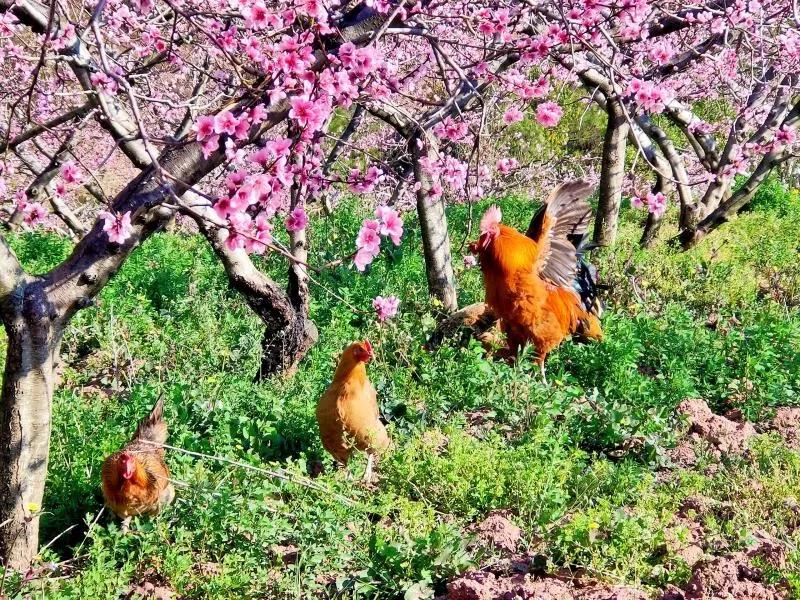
{"x": 480, "y": 585}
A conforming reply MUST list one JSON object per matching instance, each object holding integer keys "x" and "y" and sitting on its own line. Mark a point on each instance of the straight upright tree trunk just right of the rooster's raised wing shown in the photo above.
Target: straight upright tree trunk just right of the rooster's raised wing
{"x": 612, "y": 175}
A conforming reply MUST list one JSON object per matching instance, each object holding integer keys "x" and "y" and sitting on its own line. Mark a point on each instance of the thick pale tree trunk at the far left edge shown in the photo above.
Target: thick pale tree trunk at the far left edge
{"x": 34, "y": 337}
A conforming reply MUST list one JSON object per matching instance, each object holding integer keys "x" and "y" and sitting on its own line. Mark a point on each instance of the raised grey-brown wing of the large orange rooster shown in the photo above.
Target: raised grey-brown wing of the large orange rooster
{"x": 566, "y": 213}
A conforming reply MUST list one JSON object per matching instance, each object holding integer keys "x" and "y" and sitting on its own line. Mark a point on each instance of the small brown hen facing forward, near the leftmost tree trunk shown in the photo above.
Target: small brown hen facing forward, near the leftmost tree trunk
{"x": 136, "y": 479}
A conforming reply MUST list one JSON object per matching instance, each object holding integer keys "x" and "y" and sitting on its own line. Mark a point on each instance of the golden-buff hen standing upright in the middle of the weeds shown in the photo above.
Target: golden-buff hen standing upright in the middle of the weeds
{"x": 348, "y": 413}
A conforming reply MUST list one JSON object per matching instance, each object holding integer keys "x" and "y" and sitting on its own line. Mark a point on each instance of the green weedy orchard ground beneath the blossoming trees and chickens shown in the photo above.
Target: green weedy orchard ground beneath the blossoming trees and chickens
{"x": 597, "y": 470}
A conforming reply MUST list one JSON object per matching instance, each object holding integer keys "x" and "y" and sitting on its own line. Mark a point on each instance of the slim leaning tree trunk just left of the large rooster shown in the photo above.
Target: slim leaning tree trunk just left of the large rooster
{"x": 435, "y": 237}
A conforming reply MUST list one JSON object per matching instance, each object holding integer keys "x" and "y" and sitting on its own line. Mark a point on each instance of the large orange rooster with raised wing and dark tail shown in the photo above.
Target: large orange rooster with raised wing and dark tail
{"x": 537, "y": 284}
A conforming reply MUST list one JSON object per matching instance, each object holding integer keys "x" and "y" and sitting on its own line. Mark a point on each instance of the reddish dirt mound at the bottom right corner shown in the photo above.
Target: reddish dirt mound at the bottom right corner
{"x": 728, "y": 577}
